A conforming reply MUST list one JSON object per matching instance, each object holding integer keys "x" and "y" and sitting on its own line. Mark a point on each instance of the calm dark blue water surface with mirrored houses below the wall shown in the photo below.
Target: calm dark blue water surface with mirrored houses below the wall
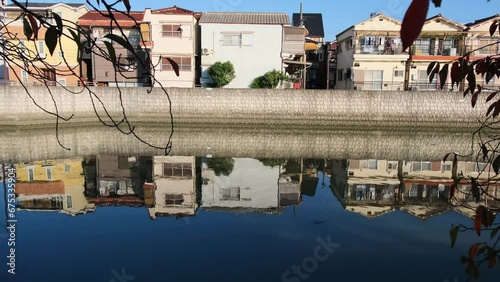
{"x": 129, "y": 217}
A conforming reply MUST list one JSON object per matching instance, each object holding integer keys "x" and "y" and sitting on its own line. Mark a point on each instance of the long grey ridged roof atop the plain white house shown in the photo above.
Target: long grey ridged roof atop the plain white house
{"x": 245, "y": 18}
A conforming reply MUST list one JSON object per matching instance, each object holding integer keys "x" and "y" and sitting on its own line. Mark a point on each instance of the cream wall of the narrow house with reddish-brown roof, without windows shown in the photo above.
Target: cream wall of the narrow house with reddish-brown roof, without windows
{"x": 183, "y": 45}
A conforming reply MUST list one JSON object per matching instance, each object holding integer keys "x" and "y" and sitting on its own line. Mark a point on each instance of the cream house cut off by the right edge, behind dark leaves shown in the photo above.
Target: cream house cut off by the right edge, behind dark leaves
{"x": 479, "y": 39}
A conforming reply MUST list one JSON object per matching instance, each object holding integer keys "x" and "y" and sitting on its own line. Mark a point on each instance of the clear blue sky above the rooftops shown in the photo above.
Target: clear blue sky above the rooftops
{"x": 337, "y": 15}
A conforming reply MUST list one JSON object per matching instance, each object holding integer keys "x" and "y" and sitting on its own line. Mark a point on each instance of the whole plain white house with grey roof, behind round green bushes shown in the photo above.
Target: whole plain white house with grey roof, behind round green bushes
{"x": 252, "y": 42}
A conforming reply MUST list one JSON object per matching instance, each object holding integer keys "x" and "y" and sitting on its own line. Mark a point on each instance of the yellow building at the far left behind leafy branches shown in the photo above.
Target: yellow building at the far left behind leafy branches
{"x": 58, "y": 67}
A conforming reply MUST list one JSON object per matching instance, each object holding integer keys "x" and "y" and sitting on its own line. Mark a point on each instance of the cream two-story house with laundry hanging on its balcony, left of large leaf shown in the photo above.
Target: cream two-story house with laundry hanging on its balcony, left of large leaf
{"x": 370, "y": 55}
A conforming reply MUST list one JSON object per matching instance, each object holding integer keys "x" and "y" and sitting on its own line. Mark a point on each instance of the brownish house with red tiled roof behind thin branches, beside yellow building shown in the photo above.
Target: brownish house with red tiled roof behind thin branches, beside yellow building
{"x": 98, "y": 70}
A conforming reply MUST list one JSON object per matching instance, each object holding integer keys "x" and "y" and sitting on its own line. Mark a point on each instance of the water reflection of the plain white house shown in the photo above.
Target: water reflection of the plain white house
{"x": 250, "y": 187}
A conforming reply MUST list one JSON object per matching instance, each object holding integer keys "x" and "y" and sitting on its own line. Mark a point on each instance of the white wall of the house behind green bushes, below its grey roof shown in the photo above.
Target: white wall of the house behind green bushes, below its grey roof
{"x": 258, "y": 52}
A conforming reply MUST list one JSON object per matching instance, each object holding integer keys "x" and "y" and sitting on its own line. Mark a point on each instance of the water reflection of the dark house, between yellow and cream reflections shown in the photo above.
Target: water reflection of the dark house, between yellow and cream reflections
{"x": 117, "y": 180}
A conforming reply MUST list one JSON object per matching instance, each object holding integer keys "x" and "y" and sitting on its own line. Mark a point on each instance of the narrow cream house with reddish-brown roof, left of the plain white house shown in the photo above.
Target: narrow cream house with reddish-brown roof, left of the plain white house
{"x": 173, "y": 33}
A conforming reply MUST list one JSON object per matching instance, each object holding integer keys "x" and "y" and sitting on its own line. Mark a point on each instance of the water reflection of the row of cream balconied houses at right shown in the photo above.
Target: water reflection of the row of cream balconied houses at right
{"x": 376, "y": 187}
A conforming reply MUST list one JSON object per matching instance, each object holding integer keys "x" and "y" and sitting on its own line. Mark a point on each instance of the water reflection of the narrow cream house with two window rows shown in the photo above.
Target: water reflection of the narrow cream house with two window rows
{"x": 173, "y": 192}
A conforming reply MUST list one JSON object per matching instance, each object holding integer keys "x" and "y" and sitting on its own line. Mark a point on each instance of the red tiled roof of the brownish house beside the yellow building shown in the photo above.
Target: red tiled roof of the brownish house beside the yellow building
{"x": 95, "y": 18}
